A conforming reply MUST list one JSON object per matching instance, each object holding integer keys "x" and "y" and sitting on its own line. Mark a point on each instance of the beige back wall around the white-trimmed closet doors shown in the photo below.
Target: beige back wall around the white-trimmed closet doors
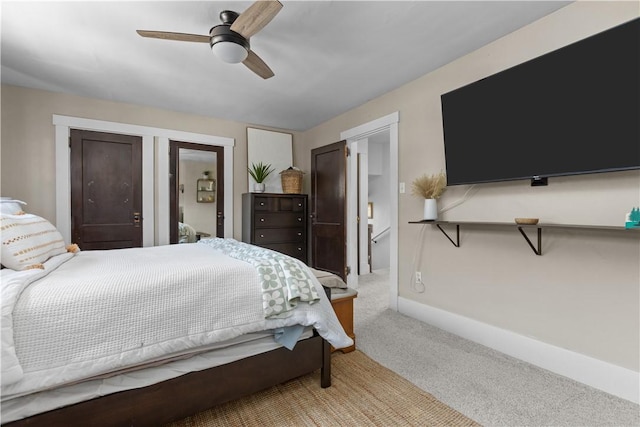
{"x": 27, "y": 150}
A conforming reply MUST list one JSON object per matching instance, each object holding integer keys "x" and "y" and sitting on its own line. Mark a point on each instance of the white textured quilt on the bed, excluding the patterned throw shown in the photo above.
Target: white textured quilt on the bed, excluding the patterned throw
{"x": 90, "y": 313}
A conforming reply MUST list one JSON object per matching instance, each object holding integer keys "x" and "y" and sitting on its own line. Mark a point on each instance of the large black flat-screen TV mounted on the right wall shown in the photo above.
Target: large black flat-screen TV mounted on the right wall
{"x": 572, "y": 111}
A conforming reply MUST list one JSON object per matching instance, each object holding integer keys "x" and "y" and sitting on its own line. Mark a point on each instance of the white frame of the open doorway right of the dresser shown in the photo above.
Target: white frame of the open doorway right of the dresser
{"x": 352, "y": 136}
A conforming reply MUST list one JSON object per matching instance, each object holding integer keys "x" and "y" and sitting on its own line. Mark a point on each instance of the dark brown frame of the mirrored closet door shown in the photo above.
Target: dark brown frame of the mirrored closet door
{"x": 175, "y": 147}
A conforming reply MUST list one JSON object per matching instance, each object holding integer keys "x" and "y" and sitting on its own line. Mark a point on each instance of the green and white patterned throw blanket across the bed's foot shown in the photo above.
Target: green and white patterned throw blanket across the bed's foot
{"x": 285, "y": 280}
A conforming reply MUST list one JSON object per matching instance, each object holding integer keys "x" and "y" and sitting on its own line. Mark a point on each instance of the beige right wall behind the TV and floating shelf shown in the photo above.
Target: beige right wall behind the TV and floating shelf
{"x": 583, "y": 293}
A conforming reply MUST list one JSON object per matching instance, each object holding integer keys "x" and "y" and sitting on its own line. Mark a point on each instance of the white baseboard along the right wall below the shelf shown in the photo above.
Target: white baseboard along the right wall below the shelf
{"x": 610, "y": 378}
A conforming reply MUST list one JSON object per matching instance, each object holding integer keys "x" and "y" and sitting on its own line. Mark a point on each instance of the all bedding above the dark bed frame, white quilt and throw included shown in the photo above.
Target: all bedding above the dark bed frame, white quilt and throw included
{"x": 95, "y": 323}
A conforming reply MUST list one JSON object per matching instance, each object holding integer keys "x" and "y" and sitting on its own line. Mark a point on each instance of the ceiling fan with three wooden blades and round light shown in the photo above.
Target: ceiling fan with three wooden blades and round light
{"x": 230, "y": 40}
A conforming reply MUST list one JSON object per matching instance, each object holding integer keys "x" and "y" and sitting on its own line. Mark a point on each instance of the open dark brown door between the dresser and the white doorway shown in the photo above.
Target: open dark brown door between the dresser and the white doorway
{"x": 328, "y": 208}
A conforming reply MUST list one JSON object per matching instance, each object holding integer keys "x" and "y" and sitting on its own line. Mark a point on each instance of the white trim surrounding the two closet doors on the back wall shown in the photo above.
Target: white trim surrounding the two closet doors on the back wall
{"x": 155, "y": 151}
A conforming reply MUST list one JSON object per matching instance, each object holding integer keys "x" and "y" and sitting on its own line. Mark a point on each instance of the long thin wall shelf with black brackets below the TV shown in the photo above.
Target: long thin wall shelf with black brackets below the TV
{"x": 537, "y": 249}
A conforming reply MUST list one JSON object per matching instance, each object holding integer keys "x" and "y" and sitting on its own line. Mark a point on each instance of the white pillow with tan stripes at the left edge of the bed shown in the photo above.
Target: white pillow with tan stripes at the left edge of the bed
{"x": 28, "y": 240}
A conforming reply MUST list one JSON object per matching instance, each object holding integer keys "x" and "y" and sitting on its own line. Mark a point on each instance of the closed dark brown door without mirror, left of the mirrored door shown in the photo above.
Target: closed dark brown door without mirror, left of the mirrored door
{"x": 106, "y": 190}
